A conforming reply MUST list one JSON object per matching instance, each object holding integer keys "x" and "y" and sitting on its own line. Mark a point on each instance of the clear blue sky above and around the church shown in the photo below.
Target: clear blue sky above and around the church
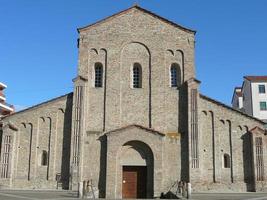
{"x": 39, "y": 57}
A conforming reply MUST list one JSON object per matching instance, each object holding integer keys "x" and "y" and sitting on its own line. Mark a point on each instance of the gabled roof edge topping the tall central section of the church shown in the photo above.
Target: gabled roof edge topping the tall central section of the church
{"x": 141, "y": 9}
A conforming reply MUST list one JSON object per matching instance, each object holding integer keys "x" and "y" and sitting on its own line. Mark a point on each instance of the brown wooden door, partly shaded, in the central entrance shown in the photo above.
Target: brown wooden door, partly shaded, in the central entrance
{"x": 134, "y": 182}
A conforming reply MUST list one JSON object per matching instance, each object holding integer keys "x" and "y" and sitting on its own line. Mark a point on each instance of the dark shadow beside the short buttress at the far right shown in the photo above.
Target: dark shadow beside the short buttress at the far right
{"x": 247, "y": 162}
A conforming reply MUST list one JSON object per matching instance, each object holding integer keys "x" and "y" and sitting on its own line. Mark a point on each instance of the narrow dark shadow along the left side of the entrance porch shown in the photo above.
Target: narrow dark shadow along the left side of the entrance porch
{"x": 103, "y": 165}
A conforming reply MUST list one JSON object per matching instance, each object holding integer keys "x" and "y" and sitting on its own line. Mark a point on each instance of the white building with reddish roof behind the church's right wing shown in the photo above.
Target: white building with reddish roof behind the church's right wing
{"x": 251, "y": 98}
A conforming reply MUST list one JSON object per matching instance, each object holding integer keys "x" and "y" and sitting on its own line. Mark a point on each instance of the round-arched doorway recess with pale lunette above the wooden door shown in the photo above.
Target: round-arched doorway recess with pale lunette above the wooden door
{"x": 137, "y": 166}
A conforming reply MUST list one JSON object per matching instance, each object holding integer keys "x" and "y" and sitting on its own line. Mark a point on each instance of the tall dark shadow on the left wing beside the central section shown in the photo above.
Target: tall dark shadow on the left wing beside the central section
{"x": 65, "y": 167}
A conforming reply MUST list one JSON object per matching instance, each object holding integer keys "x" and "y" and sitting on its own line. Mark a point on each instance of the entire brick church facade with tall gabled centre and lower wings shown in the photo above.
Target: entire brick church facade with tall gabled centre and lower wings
{"x": 136, "y": 121}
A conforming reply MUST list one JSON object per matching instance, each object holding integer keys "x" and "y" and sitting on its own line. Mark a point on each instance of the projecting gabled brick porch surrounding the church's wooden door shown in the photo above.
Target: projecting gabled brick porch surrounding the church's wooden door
{"x": 134, "y": 140}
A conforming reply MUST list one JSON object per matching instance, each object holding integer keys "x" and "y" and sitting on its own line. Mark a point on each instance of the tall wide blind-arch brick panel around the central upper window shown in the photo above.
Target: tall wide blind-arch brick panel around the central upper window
{"x": 135, "y": 52}
